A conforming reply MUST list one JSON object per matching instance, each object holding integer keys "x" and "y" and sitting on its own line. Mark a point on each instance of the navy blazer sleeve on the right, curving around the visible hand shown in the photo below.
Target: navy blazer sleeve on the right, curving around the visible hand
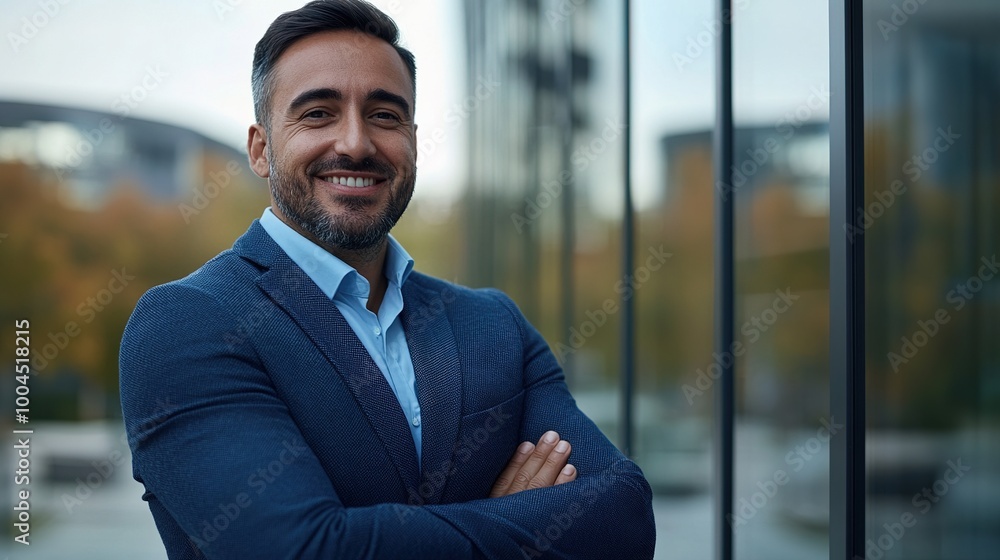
{"x": 605, "y": 513}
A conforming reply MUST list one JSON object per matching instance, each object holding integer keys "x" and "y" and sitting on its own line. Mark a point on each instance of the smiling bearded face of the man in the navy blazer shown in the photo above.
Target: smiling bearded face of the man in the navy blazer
{"x": 341, "y": 153}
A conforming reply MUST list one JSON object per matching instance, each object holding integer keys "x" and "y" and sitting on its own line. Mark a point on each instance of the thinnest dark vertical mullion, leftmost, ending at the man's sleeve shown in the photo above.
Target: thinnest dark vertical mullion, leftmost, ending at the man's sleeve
{"x": 628, "y": 245}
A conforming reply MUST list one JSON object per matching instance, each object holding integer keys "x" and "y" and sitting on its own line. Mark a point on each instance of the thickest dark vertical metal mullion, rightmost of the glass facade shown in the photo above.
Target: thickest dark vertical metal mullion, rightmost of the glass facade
{"x": 847, "y": 373}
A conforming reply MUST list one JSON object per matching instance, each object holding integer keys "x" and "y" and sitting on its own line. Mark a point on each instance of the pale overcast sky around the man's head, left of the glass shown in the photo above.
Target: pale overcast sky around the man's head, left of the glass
{"x": 91, "y": 52}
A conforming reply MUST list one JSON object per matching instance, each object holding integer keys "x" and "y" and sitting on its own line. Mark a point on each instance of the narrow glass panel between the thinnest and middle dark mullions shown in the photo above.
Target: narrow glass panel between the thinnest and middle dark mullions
{"x": 673, "y": 107}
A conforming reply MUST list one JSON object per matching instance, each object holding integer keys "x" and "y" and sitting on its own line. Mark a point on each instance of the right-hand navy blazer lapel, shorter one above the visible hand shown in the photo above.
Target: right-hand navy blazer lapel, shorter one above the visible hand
{"x": 434, "y": 353}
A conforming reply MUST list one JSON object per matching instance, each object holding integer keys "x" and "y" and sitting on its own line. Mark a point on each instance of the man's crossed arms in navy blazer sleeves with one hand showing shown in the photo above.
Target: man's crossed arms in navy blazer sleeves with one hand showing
{"x": 227, "y": 474}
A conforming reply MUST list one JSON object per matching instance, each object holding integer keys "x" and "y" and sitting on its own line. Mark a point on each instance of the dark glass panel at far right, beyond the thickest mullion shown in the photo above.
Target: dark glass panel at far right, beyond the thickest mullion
{"x": 932, "y": 313}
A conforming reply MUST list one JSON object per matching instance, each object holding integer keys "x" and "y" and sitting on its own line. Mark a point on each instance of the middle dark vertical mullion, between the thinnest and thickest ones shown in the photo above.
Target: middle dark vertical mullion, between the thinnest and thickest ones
{"x": 724, "y": 286}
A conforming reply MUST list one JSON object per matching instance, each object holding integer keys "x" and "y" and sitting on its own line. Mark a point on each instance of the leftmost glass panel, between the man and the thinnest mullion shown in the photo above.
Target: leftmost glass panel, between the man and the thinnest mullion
{"x": 547, "y": 141}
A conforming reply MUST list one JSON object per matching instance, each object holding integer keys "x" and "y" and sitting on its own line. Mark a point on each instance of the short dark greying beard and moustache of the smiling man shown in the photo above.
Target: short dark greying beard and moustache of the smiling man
{"x": 355, "y": 229}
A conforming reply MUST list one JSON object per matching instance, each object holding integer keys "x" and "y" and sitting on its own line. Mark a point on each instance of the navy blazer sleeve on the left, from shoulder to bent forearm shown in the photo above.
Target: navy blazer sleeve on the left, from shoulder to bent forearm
{"x": 226, "y": 472}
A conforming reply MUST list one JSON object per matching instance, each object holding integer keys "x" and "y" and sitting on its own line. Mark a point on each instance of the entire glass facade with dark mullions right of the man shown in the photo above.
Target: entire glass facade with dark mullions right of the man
{"x": 546, "y": 221}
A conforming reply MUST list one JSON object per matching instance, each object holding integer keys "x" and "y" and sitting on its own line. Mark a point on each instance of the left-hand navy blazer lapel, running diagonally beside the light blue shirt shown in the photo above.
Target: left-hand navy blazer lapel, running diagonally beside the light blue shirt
{"x": 290, "y": 288}
